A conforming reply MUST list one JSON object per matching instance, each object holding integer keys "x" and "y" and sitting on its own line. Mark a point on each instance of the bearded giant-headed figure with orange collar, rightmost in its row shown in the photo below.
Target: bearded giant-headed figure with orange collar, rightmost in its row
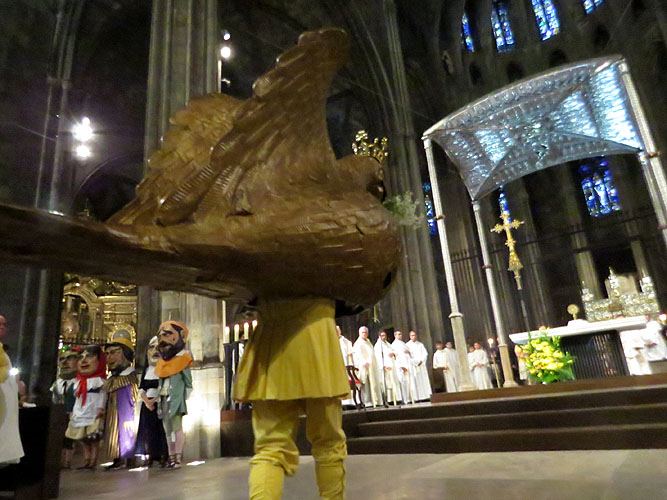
{"x": 174, "y": 386}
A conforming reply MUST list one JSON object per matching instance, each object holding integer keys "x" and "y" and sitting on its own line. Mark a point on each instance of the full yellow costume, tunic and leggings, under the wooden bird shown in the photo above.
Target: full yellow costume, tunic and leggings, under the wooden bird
{"x": 291, "y": 366}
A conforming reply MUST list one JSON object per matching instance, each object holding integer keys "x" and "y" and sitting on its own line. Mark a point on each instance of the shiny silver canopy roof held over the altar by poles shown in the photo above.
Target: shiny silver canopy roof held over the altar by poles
{"x": 573, "y": 112}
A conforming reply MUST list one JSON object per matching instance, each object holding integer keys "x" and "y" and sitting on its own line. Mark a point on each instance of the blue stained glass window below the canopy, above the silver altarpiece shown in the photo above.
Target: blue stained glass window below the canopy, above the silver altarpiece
{"x": 598, "y": 187}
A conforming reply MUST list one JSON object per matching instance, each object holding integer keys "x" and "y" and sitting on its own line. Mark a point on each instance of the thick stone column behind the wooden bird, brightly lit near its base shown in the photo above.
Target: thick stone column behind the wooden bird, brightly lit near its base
{"x": 182, "y": 65}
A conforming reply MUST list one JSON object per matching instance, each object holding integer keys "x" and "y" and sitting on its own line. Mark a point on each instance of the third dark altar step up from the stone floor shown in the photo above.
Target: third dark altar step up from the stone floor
{"x": 558, "y": 401}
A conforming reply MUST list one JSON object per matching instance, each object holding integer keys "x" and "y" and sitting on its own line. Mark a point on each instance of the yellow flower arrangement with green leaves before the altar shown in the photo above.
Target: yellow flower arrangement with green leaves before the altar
{"x": 545, "y": 360}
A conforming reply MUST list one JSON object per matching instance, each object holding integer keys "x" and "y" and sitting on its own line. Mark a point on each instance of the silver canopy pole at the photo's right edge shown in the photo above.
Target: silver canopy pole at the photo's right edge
{"x": 649, "y": 158}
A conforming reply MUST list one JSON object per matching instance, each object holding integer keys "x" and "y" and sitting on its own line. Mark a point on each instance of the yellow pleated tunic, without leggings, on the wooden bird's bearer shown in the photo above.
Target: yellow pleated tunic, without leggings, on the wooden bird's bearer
{"x": 293, "y": 354}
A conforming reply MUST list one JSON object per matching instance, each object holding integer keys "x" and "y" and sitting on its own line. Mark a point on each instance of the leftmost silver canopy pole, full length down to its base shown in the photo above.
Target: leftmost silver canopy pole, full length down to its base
{"x": 455, "y": 316}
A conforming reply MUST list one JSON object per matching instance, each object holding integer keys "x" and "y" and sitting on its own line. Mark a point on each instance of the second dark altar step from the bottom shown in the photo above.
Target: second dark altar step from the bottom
{"x": 613, "y": 415}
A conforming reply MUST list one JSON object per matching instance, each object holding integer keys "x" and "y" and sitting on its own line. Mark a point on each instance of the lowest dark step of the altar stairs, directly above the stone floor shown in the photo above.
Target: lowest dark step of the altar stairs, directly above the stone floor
{"x": 603, "y": 437}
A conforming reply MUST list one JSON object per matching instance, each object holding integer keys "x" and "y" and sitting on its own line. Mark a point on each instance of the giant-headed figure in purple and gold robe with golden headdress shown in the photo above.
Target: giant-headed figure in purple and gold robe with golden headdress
{"x": 122, "y": 392}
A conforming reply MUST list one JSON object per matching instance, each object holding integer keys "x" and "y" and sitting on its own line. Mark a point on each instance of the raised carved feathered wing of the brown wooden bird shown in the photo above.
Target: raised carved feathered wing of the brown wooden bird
{"x": 216, "y": 140}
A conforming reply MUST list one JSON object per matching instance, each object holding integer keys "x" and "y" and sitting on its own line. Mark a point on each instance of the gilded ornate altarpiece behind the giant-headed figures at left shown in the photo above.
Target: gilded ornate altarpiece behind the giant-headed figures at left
{"x": 93, "y": 309}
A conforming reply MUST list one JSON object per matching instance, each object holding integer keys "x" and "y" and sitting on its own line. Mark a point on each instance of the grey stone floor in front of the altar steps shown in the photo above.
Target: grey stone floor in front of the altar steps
{"x": 570, "y": 475}
